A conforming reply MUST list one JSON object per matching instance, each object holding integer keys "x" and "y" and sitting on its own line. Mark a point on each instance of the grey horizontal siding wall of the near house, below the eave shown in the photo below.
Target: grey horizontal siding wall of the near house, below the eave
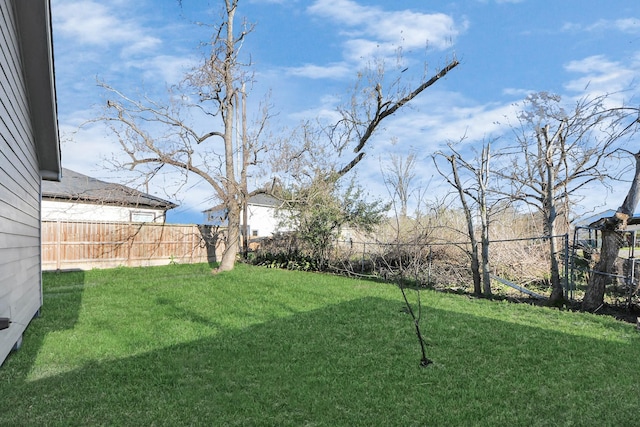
{"x": 20, "y": 278}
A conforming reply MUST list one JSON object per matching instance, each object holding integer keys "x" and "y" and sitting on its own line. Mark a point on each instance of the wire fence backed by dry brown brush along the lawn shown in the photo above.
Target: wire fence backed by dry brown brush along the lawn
{"x": 524, "y": 262}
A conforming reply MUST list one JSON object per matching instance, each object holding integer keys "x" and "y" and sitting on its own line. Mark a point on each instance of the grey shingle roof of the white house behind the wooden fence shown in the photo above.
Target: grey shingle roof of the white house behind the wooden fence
{"x": 77, "y": 187}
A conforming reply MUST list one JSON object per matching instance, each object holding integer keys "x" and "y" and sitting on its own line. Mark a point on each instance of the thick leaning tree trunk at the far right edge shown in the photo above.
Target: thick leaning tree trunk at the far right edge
{"x": 612, "y": 240}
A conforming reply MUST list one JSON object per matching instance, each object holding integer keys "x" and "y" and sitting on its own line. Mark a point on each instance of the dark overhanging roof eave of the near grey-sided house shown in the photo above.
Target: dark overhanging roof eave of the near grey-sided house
{"x": 34, "y": 31}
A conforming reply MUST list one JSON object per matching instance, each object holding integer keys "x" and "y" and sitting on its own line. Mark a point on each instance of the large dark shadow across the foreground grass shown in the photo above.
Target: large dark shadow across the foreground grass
{"x": 354, "y": 363}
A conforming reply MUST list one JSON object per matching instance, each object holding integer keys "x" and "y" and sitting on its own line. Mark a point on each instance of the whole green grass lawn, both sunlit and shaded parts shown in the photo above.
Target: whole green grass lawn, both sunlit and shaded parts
{"x": 260, "y": 347}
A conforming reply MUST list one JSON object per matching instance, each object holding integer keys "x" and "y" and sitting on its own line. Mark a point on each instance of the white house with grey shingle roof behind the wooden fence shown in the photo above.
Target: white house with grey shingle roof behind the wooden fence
{"x": 78, "y": 197}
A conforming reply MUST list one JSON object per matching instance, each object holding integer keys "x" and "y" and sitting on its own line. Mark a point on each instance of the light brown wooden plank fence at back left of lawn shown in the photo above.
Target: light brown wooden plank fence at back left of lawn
{"x": 86, "y": 245}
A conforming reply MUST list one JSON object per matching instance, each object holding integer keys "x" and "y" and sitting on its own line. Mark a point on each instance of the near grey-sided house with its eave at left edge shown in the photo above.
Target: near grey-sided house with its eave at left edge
{"x": 29, "y": 152}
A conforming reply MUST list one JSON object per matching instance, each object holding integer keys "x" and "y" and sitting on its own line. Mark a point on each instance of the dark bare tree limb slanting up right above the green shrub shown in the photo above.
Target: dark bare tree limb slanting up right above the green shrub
{"x": 322, "y": 148}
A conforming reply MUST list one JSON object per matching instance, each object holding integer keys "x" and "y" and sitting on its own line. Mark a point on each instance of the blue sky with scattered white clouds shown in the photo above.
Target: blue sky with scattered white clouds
{"x": 306, "y": 55}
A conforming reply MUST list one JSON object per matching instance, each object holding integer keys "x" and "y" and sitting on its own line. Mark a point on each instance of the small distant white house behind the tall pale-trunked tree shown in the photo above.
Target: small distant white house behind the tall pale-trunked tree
{"x": 262, "y": 217}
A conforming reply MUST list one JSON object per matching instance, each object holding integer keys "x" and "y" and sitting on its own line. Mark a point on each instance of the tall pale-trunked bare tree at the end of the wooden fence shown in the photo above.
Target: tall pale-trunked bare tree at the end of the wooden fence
{"x": 154, "y": 135}
